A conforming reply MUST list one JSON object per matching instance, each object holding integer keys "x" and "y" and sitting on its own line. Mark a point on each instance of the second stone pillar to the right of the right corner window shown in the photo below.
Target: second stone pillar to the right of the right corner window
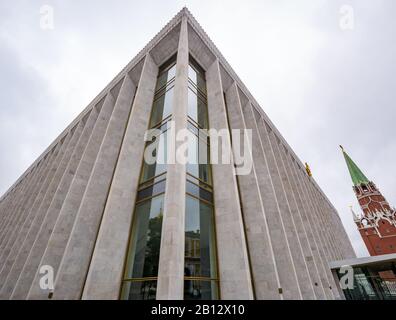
{"x": 262, "y": 261}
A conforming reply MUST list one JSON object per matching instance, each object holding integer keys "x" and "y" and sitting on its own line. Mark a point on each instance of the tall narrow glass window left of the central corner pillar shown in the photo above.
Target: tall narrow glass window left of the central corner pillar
{"x": 141, "y": 268}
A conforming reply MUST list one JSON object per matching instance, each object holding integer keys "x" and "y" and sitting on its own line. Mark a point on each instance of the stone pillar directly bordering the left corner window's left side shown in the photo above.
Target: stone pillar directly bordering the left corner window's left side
{"x": 105, "y": 275}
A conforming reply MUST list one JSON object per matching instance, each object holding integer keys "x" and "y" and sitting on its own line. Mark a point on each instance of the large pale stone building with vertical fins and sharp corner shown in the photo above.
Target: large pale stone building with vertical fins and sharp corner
{"x": 112, "y": 226}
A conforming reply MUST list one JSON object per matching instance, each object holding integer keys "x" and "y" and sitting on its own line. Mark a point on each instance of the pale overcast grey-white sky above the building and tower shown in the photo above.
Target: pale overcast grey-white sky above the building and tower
{"x": 321, "y": 82}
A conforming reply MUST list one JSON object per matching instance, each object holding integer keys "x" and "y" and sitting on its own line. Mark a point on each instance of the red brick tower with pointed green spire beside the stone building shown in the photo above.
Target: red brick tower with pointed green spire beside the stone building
{"x": 377, "y": 223}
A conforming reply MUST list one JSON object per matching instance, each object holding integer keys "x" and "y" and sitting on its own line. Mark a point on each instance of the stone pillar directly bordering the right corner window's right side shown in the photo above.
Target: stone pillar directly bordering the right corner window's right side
{"x": 233, "y": 262}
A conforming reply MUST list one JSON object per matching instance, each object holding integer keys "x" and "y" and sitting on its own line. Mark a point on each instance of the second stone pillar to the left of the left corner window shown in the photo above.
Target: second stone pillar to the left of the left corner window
{"x": 75, "y": 262}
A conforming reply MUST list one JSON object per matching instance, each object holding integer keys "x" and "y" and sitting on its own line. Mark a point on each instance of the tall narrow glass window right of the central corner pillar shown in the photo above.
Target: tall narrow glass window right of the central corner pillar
{"x": 200, "y": 269}
